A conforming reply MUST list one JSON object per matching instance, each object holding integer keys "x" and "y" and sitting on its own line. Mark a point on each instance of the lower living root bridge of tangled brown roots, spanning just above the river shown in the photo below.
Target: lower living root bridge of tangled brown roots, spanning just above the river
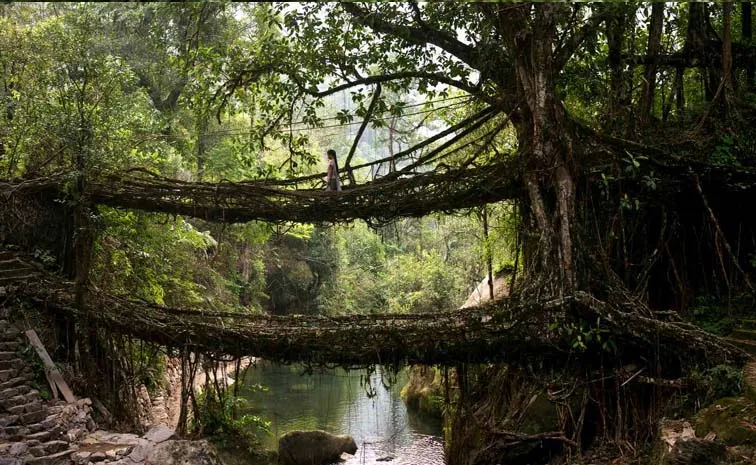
{"x": 499, "y": 332}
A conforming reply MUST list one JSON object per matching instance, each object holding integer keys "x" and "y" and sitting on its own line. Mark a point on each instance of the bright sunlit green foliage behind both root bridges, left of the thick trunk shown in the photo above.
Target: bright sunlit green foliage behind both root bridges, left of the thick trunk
{"x": 97, "y": 88}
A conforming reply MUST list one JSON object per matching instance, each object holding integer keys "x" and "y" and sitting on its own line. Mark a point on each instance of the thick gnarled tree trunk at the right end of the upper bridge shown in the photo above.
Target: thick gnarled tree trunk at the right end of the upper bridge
{"x": 545, "y": 138}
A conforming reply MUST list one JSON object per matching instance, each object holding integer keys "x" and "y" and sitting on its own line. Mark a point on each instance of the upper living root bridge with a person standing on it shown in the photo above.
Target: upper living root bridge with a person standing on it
{"x": 258, "y": 200}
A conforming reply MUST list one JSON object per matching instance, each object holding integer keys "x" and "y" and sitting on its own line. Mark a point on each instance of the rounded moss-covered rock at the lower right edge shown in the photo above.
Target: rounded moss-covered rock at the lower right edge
{"x": 732, "y": 419}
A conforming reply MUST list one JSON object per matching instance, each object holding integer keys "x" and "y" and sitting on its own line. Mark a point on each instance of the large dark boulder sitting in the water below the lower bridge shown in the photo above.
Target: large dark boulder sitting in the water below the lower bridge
{"x": 313, "y": 448}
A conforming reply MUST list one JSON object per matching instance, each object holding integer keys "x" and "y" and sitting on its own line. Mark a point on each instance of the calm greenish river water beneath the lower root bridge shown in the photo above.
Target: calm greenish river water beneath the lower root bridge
{"x": 336, "y": 401}
